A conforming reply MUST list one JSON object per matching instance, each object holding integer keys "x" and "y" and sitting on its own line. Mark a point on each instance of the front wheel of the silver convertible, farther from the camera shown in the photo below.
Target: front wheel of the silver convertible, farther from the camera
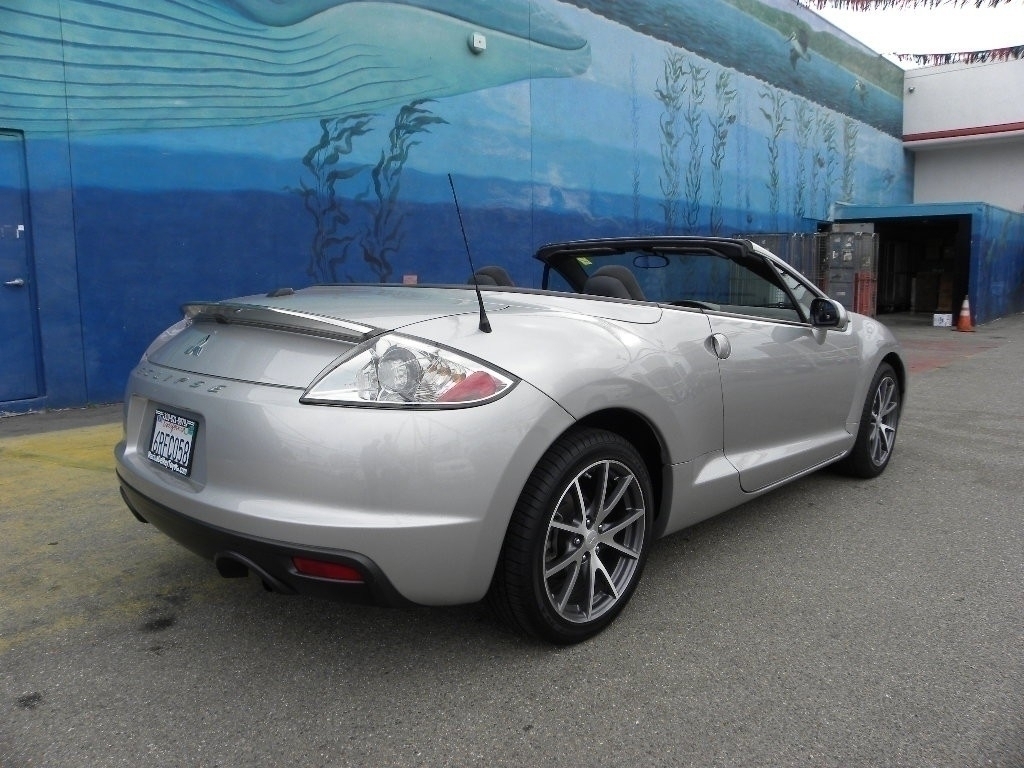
{"x": 879, "y": 422}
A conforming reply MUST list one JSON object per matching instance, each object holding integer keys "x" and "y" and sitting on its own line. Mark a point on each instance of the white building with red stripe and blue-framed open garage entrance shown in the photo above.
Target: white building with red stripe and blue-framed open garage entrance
{"x": 964, "y": 235}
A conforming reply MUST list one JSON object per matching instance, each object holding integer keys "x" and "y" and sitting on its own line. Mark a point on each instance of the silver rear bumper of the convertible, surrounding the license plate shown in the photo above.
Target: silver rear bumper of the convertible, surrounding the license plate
{"x": 417, "y": 501}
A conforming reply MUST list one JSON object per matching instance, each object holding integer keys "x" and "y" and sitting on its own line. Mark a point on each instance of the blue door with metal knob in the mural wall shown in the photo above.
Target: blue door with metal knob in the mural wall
{"x": 19, "y": 346}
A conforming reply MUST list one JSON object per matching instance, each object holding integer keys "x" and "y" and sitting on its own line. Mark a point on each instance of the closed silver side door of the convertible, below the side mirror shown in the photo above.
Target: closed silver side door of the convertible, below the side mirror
{"x": 787, "y": 388}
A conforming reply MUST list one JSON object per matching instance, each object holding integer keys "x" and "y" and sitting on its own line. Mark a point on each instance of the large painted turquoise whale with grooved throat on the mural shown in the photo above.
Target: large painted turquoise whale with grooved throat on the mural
{"x": 187, "y": 64}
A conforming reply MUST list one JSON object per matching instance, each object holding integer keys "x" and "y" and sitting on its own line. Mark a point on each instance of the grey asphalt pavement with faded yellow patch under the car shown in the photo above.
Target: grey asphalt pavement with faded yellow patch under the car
{"x": 832, "y": 623}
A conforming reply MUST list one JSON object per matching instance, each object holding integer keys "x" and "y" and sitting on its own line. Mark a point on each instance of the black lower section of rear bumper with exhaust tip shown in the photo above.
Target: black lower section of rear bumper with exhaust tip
{"x": 273, "y": 563}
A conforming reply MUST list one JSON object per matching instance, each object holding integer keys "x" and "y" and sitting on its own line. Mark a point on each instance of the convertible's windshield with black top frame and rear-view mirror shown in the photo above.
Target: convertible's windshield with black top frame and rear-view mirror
{"x": 732, "y": 280}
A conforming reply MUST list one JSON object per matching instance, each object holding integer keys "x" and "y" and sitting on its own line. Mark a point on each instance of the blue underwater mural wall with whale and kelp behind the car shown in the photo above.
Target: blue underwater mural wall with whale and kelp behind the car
{"x": 185, "y": 150}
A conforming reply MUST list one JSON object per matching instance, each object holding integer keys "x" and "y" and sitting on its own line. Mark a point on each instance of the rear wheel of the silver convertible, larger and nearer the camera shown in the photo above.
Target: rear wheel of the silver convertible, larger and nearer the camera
{"x": 578, "y": 540}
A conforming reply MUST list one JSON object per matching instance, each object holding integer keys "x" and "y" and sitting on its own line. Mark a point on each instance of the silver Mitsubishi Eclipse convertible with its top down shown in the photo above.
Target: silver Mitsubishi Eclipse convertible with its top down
{"x": 439, "y": 445}
